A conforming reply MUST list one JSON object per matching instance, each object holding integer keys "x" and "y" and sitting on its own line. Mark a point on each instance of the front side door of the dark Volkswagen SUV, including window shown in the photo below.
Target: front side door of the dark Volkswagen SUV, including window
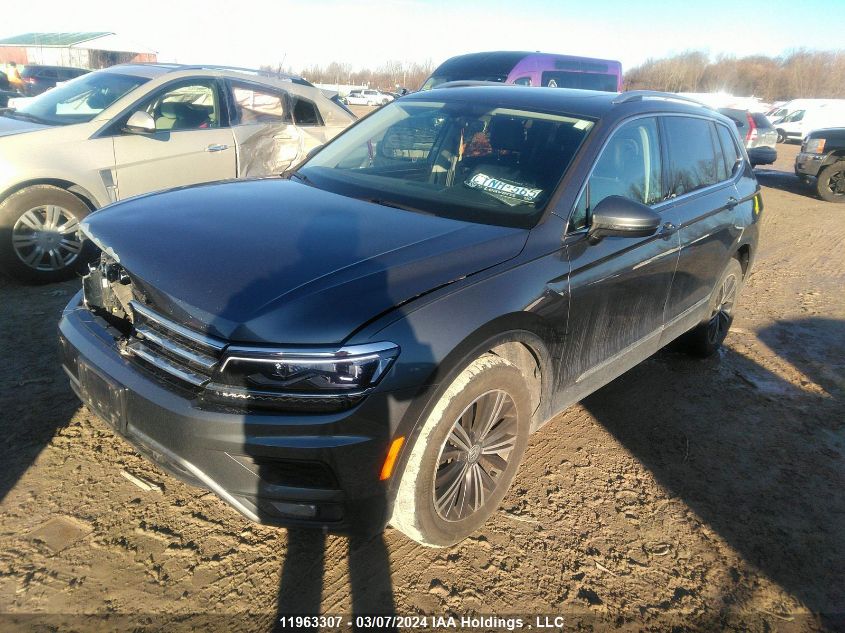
{"x": 618, "y": 286}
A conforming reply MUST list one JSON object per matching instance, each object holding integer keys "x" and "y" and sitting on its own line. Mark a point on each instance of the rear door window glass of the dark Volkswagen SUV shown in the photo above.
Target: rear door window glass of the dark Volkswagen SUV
{"x": 693, "y": 159}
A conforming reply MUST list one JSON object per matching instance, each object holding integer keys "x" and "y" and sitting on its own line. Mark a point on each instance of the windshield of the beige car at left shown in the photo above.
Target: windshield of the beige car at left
{"x": 79, "y": 100}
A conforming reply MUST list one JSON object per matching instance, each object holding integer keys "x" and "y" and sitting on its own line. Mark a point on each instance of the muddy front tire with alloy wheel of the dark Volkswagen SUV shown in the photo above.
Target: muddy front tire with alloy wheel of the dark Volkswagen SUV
{"x": 466, "y": 455}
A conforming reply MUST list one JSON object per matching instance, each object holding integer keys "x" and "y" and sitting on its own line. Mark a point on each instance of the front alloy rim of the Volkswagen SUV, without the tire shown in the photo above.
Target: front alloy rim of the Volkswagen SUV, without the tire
{"x": 475, "y": 455}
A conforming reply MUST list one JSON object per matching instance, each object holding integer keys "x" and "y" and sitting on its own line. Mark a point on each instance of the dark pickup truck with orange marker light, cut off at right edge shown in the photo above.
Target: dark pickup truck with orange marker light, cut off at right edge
{"x": 822, "y": 163}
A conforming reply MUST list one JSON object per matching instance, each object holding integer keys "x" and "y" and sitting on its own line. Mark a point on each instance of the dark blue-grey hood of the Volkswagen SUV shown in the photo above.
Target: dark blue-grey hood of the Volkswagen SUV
{"x": 275, "y": 261}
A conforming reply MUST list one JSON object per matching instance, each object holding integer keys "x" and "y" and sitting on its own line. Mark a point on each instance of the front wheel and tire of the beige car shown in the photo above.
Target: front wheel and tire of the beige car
{"x": 40, "y": 240}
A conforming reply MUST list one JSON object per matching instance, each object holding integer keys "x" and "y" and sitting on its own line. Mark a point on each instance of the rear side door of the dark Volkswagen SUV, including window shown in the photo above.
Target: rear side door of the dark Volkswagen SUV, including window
{"x": 701, "y": 207}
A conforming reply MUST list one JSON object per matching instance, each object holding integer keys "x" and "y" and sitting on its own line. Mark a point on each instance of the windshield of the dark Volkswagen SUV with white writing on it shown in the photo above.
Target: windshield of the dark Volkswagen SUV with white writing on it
{"x": 473, "y": 162}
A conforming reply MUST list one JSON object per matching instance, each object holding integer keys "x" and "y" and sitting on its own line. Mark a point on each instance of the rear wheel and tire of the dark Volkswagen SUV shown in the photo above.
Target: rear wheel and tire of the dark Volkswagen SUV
{"x": 705, "y": 339}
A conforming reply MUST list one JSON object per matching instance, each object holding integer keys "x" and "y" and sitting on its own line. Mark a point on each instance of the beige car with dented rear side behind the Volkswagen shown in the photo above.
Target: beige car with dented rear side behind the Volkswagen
{"x": 132, "y": 129}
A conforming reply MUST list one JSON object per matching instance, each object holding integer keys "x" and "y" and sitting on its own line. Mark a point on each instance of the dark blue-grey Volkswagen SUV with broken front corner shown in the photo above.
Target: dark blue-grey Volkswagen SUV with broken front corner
{"x": 372, "y": 339}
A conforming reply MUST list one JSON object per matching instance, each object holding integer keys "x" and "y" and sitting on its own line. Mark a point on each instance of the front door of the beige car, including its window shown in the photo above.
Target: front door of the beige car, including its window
{"x": 192, "y": 143}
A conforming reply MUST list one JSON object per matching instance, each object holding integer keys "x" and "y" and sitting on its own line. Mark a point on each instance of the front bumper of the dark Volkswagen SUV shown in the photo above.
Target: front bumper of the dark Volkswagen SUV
{"x": 318, "y": 470}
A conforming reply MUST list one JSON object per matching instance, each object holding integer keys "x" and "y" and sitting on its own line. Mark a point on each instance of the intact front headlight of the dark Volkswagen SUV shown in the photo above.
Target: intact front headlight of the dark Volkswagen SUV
{"x": 300, "y": 380}
